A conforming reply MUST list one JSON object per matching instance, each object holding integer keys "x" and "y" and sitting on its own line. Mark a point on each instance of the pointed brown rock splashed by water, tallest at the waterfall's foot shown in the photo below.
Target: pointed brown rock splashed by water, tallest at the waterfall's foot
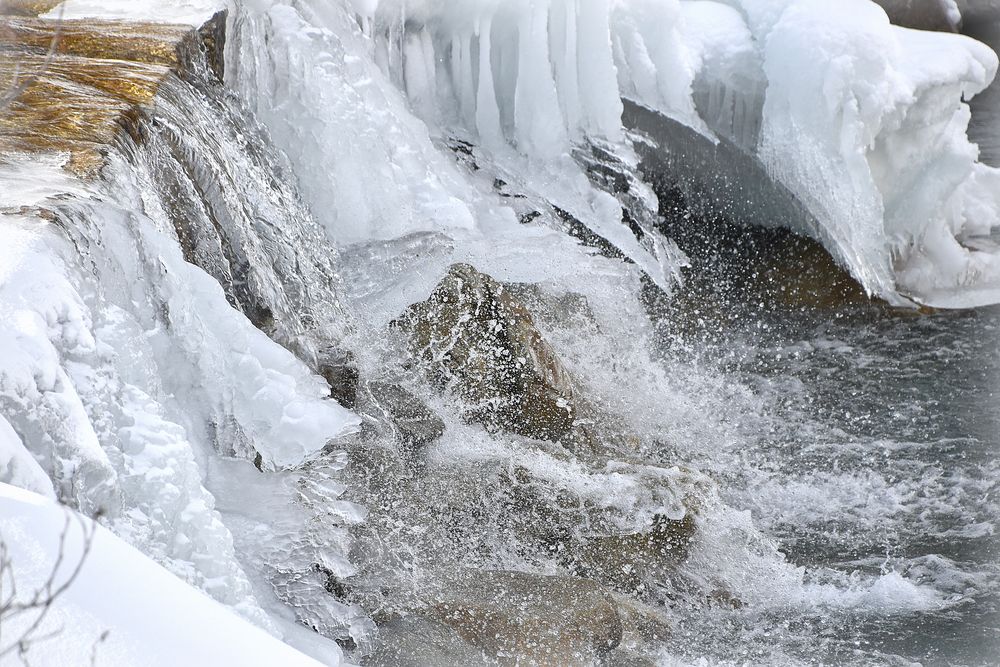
{"x": 474, "y": 337}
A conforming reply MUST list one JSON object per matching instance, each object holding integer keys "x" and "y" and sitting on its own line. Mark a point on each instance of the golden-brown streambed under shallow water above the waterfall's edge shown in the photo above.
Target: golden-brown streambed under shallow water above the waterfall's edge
{"x": 76, "y": 99}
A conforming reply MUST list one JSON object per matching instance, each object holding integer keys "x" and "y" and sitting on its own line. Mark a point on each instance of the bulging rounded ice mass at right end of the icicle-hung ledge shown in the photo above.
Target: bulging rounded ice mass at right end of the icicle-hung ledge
{"x": 884, "y": 162}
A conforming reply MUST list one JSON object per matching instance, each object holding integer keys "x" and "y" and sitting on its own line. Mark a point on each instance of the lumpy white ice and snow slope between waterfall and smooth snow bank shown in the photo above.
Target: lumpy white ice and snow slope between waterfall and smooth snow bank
{"x": 124, "y": 367}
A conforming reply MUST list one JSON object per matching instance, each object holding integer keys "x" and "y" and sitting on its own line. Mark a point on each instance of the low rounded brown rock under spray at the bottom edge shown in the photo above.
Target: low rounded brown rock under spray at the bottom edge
{"x": 532, "y": 619}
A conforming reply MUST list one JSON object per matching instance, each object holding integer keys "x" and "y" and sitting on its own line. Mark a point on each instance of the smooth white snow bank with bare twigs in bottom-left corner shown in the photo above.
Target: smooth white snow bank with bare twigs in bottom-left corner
{"x": 150, "y": 617}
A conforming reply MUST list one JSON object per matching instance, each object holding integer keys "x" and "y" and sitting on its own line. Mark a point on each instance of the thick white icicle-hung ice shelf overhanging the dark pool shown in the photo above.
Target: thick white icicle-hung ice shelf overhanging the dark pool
{"x": 870, "y": 141}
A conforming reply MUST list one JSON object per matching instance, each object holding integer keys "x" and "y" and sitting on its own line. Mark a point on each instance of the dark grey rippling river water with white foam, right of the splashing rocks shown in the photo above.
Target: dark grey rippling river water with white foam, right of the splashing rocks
{"x": 873, "y": 465}
